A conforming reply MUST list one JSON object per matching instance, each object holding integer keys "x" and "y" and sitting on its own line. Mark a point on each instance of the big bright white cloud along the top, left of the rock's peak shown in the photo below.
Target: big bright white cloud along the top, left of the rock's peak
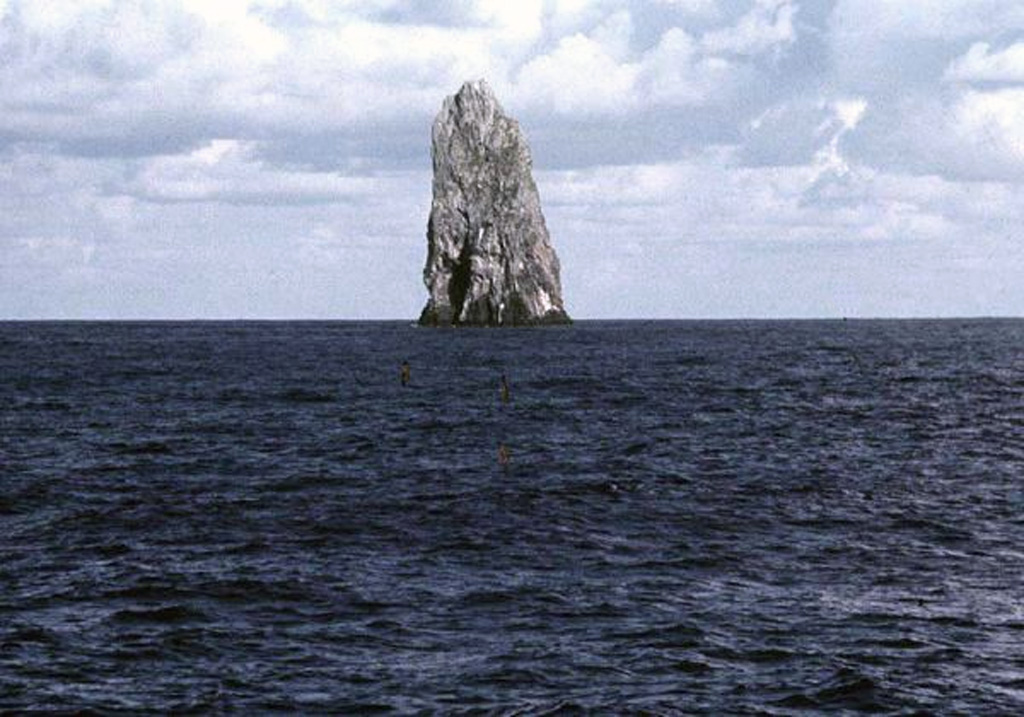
{"x": 179, "y": 73}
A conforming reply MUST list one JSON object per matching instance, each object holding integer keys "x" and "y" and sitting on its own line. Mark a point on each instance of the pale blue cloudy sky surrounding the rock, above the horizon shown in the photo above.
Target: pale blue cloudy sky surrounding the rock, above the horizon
{"x": 271, "y": 159}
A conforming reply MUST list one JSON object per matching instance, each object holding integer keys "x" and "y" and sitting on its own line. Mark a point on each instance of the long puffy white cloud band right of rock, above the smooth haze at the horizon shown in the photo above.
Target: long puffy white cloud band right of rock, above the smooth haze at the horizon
{"x": 711, "y": 197}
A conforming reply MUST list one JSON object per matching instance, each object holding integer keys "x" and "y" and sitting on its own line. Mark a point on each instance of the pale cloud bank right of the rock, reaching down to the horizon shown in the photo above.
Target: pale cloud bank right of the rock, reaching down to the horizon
{"x": 702, "y": 234}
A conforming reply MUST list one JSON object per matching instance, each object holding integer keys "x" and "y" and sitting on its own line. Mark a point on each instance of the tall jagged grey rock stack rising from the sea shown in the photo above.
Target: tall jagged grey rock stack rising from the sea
{"x": 490, "y": 261}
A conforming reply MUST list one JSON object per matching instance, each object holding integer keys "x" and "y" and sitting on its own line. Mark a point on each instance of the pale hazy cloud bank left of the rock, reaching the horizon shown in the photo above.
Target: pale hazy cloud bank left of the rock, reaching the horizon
{"x": 73, "y": 244}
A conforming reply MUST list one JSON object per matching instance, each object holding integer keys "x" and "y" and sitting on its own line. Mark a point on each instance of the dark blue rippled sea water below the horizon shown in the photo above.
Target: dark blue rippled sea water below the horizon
{"x": 717, "y": 518}
